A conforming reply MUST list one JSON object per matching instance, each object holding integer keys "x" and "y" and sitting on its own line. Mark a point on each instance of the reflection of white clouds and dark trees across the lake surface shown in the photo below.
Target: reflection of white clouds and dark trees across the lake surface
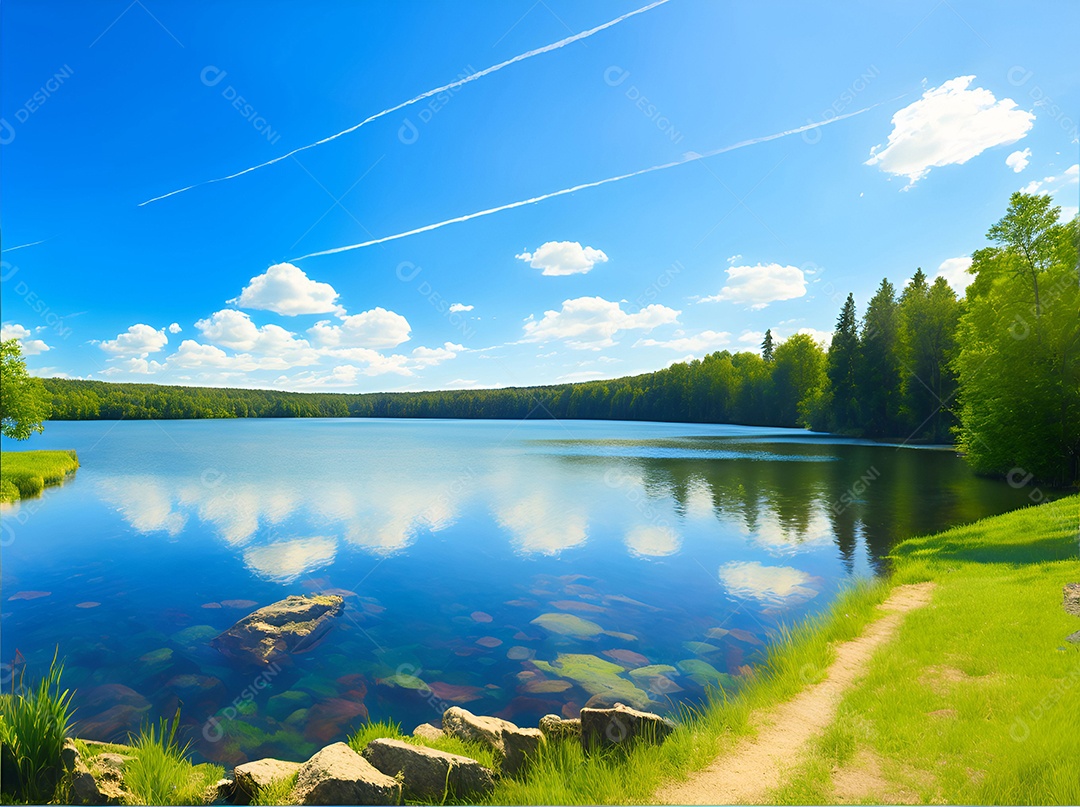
{"x": 794, "y": 499}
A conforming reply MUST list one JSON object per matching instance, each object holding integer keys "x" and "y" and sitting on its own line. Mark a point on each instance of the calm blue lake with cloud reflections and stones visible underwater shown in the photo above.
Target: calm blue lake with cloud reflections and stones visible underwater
{"x": 515, "y": 569}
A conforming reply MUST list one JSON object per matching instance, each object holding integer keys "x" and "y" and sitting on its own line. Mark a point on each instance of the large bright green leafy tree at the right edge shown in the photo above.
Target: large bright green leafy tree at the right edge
{"x": 1019, "y": 359}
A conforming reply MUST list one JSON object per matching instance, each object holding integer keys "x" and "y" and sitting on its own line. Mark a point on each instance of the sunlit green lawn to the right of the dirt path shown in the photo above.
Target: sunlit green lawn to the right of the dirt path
{"x": 977, "y": 701}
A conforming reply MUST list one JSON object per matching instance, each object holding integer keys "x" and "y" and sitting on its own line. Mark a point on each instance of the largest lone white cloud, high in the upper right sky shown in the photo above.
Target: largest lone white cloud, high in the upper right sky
{"x": 949, "y": 126}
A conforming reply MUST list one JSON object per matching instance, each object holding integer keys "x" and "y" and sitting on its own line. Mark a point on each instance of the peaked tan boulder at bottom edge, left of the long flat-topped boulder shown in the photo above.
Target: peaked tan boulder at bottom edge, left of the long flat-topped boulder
{"x": 339, "y": 775}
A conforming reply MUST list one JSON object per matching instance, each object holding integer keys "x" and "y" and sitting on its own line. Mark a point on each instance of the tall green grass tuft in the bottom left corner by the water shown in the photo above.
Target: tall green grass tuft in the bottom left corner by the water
{"x": 34, "y": 723}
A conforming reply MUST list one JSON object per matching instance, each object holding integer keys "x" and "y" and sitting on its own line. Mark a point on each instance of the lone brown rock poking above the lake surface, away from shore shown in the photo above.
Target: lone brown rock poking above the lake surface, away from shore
{"x": 273, "y": 634}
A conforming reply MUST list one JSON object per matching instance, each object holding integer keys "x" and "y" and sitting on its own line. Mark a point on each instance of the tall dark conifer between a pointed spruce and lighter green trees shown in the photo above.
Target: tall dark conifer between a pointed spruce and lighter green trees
{"x": 879, "y": 365}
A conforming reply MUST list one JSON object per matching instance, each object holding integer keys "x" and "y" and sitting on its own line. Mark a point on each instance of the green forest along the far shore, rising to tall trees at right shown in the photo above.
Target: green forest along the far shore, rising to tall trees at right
{"x": 996, "y": 372}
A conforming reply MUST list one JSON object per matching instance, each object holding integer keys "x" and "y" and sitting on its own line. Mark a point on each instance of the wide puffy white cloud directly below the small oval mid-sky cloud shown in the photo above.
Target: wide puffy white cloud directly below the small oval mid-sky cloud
{"x": 592, "y": 322}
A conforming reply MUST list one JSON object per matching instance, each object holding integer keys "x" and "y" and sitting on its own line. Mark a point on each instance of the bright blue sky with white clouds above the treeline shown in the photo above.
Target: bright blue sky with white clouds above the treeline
{"x": 107, "y": 105}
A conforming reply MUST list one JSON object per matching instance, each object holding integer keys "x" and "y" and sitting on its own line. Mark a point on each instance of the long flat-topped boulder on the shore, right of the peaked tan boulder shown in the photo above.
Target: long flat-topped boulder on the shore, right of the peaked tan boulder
{"x": 430, "y": 775}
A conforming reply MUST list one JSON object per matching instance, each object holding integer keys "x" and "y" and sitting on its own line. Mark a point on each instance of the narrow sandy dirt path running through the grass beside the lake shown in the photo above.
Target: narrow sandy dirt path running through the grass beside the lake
{"x": 757, "y": 765}
